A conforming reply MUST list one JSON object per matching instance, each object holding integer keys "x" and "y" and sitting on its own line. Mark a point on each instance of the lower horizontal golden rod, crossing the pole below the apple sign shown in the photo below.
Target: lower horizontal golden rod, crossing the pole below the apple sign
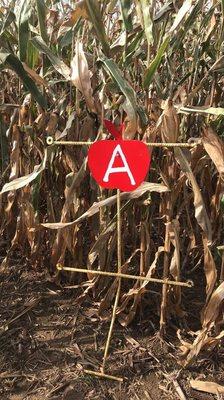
{"x": 125, "y": 276}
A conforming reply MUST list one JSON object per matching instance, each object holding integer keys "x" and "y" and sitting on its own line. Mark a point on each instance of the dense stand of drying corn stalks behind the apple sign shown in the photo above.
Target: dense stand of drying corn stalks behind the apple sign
{"x": 157, "y": 67}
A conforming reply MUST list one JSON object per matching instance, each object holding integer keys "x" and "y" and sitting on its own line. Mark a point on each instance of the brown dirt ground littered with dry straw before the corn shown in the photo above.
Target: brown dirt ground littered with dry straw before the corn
{"x": 47, "y": 339}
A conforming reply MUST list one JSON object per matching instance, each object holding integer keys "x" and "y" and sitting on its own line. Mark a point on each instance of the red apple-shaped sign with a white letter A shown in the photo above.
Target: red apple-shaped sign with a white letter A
{"x": 118, "y": 164}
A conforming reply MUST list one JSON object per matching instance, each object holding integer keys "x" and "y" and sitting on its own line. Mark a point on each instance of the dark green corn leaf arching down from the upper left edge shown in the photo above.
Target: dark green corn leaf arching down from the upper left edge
{"x": 15, "y": 64}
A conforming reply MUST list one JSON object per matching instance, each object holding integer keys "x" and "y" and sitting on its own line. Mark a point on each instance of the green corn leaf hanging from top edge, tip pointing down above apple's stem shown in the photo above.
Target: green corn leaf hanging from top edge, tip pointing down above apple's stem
{"x": 93, "y": 10}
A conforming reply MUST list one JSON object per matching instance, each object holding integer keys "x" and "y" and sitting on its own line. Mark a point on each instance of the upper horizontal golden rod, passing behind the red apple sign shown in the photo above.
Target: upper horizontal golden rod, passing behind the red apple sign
{"x": 51, "y": 141}
